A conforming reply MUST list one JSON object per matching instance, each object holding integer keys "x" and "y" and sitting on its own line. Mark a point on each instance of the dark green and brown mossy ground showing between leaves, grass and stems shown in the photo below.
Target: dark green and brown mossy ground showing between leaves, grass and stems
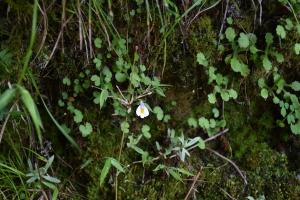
{"x": 254, "y": 141}
